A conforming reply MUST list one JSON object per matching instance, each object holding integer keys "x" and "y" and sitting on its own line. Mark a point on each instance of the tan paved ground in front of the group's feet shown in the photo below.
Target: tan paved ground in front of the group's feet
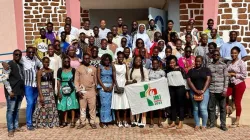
{"x": 114, "y": 133}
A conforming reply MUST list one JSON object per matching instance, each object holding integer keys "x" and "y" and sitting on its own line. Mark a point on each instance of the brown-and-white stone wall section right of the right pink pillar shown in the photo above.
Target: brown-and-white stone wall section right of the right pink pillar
{"x": 235, "y": 15}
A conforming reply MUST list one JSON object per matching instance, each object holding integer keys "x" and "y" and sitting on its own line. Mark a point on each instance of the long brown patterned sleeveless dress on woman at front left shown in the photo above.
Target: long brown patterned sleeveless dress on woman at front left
{"x": 47, "y": 115}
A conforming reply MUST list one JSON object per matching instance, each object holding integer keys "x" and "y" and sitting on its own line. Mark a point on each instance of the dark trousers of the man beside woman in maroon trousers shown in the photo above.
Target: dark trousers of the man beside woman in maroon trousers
{"x": 214, "y": 98}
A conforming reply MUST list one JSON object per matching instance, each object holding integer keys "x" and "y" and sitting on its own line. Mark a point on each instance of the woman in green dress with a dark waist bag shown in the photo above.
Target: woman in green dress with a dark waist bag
{"x": 67, "y": 96}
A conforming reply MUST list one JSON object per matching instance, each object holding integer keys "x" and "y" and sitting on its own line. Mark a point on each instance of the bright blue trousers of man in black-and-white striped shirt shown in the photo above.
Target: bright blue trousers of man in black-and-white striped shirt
{"x": 31, "y": 94}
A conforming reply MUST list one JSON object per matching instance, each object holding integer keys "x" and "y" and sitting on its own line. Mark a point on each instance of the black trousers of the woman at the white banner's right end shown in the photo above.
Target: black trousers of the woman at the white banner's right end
{"x": 177, "y": 95}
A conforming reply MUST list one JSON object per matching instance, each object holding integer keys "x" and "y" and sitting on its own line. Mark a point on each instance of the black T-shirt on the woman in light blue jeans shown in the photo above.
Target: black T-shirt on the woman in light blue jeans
{"x": 199, "y": 76}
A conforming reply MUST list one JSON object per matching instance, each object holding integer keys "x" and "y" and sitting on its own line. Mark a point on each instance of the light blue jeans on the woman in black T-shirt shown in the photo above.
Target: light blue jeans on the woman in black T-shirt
{"x": 200, "y": 107}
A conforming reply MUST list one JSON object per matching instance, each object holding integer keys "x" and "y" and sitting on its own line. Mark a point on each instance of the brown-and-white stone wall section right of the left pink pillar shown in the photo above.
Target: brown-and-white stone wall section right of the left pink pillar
{"x": 38, "y": 12}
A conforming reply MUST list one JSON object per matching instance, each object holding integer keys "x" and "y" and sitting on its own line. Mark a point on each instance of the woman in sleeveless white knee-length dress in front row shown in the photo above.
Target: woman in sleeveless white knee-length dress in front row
{"x": 119, "y": 98}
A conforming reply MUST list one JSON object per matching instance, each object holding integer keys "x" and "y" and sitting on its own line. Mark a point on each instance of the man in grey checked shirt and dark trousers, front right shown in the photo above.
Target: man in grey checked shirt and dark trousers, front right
{"x": 218, "y": 89}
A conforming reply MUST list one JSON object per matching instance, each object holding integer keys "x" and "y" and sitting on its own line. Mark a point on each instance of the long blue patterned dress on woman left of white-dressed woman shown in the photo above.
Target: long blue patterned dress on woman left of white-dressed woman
{"x": 106, "y": 97}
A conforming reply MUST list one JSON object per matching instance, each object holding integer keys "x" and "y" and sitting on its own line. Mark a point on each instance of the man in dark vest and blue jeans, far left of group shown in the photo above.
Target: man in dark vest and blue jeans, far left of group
{"x": 13, "y": 80}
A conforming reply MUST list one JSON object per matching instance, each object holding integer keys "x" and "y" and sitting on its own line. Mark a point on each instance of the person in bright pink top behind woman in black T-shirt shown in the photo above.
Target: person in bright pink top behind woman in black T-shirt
{"x": 187, "y": 61}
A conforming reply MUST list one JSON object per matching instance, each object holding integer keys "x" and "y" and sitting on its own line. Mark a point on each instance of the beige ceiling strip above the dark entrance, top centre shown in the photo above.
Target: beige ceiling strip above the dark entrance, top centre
{"x": 122, "y": 4}
